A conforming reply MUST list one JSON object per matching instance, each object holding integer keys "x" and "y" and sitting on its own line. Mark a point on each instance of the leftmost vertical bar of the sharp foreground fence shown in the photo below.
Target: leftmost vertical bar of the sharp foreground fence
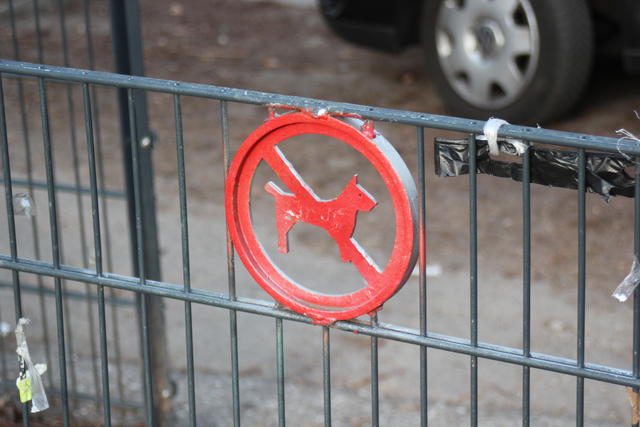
{"x": 13, "y": 243}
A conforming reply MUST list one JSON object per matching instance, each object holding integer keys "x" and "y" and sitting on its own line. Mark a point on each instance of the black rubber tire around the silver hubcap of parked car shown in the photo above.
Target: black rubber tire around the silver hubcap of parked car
{"x": 565, "y": 57}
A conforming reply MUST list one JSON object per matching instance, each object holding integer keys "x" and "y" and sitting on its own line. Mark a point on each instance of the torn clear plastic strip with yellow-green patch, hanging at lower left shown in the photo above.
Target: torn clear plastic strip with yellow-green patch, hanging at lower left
{"x": 29, "y": 382}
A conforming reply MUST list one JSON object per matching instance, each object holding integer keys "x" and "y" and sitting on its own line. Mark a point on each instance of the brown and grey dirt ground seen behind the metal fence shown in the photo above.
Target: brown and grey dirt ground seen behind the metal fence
{"x": 284, "y": 47}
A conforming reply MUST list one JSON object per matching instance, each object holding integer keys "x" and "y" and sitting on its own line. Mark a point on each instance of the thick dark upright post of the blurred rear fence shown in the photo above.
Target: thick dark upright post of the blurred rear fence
{"x": 127, "y": 49}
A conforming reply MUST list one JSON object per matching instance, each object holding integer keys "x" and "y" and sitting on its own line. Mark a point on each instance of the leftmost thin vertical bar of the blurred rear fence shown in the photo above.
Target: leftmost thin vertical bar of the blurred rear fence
{"x": 29, "y": 169}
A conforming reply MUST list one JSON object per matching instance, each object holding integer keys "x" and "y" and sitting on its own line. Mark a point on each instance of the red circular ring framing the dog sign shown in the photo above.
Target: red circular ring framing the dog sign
{"x": 283, "y": 289}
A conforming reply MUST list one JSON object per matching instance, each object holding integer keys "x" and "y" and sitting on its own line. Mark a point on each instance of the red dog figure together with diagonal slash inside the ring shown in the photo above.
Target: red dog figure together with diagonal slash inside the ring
{"x": 336, "y": 216}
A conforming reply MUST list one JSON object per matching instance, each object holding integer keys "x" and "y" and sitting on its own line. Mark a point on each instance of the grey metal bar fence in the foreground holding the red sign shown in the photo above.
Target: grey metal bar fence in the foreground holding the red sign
{"x": 99, "y": 277}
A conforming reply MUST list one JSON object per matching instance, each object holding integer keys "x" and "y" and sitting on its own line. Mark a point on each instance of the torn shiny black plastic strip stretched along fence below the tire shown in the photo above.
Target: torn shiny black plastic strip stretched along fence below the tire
{"x": 605, "y": 173}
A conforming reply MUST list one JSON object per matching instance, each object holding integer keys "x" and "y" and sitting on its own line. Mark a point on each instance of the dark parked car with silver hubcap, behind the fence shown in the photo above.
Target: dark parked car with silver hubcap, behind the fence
{"x": 525, "y": 61}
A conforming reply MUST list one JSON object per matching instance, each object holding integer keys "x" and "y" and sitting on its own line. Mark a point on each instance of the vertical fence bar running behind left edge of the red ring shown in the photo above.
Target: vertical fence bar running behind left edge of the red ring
{"x": 231, "y": 275}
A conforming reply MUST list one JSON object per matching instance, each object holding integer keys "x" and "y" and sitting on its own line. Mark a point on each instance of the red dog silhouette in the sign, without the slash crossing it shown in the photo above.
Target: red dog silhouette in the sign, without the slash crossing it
{"x": 337, "y": 216}
